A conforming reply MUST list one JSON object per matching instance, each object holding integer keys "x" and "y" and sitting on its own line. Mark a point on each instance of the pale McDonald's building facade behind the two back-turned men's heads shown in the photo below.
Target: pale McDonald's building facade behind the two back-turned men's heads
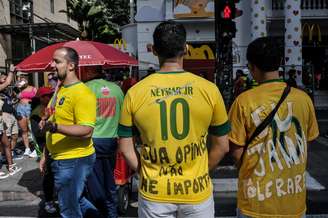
{"x": 304, "y": 43}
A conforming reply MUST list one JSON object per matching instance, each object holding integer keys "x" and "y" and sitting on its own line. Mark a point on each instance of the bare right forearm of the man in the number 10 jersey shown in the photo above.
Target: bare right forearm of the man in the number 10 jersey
{"x": 219, "y": 147}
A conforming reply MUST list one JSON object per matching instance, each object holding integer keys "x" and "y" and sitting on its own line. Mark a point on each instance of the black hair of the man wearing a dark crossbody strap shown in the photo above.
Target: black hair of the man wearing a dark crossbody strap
{"x": 265, "y": 54}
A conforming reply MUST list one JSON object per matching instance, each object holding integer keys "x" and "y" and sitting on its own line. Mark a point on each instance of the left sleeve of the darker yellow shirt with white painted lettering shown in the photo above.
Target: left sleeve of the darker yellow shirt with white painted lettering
{"x": 238, "y": 132}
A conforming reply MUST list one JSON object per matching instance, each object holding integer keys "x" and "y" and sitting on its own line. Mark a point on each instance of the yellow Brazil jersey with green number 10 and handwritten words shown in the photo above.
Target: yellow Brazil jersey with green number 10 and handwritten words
{"x": 173, "y": 113}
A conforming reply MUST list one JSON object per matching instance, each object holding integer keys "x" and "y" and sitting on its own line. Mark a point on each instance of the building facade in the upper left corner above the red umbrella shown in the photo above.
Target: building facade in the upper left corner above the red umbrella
{"x": 28, "y": 25}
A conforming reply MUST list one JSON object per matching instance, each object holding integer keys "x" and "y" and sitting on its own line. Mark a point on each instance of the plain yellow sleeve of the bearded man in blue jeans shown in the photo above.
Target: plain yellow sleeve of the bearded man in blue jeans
{"x": 85, "y": 109}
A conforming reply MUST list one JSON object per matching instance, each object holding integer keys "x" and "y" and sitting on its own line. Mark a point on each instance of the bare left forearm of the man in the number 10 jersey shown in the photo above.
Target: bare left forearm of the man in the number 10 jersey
{"x": 130, "y": 154}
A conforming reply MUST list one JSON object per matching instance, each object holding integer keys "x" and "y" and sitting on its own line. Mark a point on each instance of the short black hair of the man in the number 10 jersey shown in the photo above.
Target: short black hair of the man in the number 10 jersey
{"x": 169, "y": 39}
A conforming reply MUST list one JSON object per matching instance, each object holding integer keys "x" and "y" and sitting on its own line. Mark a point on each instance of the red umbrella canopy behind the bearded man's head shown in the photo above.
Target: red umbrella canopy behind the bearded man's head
{"x": 90, "y": 53}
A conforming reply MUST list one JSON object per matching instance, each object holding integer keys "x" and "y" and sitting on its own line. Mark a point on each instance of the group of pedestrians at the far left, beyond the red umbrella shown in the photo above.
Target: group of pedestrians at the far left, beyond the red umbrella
{"x": 15, "y": 107}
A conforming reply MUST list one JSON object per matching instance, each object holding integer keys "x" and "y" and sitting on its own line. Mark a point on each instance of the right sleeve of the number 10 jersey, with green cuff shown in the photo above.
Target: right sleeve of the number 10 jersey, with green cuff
{"x": 219, "y": 124}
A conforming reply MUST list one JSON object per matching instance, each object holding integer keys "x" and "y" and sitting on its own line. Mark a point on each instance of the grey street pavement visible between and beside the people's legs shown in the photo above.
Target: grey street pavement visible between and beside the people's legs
{"x": 21, "y": 195}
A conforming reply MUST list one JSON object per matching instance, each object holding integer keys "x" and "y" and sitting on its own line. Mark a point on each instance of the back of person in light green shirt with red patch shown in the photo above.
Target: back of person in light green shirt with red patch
{"x": 109, "y": 101}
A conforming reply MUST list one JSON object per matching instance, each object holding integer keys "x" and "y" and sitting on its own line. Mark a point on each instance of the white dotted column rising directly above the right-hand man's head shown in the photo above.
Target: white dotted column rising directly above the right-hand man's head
{"x": 258, "y": 18}
